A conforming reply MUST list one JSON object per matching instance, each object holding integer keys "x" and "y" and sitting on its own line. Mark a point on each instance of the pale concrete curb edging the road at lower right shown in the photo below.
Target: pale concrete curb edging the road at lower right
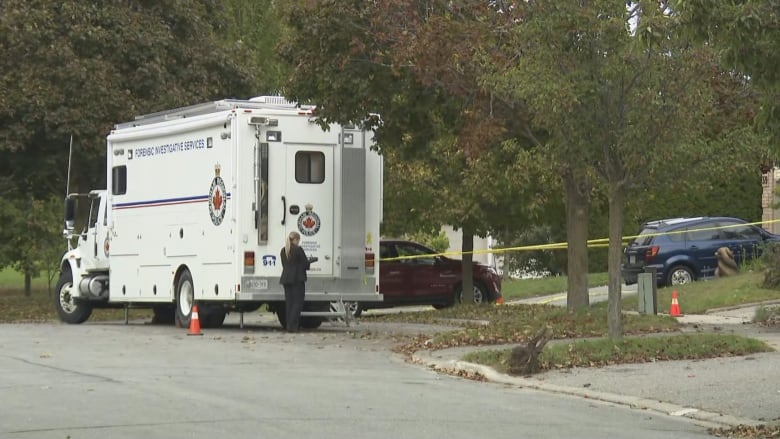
{"x": 704, "y": 418}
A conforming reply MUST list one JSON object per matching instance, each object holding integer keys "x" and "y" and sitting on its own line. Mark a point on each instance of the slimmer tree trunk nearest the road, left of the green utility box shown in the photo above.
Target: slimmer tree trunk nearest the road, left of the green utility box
{"x": 614, "y": 257}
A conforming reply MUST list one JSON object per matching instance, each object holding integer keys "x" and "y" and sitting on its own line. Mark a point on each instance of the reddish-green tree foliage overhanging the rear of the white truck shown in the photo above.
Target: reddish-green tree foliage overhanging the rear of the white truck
{"x": 440, "y": 131}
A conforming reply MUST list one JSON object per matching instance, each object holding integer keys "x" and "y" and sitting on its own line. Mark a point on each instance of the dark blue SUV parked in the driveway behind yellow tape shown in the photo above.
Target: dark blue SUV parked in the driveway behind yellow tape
{"x": 682, "y": 250}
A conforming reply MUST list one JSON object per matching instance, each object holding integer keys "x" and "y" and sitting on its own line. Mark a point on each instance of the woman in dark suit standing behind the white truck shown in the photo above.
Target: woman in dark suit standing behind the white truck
{"x": 294, "y": 266}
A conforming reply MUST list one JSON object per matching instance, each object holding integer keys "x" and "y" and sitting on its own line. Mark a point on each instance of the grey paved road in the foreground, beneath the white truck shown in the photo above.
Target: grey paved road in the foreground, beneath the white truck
{"x": 101, "y": 380}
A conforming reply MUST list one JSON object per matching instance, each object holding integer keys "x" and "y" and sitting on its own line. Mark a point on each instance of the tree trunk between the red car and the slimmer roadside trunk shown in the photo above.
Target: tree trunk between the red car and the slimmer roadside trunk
{"x": 577, "y": 210}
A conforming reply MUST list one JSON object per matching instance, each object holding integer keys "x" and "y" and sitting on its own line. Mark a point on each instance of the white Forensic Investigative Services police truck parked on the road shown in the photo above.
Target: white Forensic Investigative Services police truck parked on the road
{"x": 199, "y": 201}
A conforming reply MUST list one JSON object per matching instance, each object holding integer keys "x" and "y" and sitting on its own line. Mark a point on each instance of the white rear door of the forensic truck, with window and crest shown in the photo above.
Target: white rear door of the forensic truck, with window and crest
{"x": 308, "y": 202}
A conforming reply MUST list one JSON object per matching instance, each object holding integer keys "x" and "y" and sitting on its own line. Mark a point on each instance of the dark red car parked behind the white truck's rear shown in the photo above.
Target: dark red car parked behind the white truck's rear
{"x": 427, "y": 280}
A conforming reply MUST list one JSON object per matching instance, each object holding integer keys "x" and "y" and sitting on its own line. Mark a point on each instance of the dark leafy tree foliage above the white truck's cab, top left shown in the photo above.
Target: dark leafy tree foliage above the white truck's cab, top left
{"x": 76, "y": 68}
